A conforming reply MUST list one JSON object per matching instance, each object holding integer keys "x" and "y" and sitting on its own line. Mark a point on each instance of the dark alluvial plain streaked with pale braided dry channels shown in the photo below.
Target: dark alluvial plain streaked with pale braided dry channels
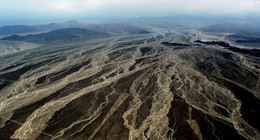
{"x": 141, "y": 87}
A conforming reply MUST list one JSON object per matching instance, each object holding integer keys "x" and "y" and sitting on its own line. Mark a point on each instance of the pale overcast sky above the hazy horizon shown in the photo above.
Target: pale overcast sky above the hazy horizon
{"x": 124, "y": 8}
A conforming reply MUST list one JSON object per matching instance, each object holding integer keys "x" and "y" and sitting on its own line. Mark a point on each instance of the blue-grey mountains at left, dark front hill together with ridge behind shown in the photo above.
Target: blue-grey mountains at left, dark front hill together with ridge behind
{"x": 79, "y": 31}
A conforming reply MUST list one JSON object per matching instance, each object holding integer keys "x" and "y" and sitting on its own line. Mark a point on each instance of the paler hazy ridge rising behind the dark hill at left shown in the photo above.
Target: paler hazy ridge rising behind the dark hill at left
{"x": 111, "y": 28}
